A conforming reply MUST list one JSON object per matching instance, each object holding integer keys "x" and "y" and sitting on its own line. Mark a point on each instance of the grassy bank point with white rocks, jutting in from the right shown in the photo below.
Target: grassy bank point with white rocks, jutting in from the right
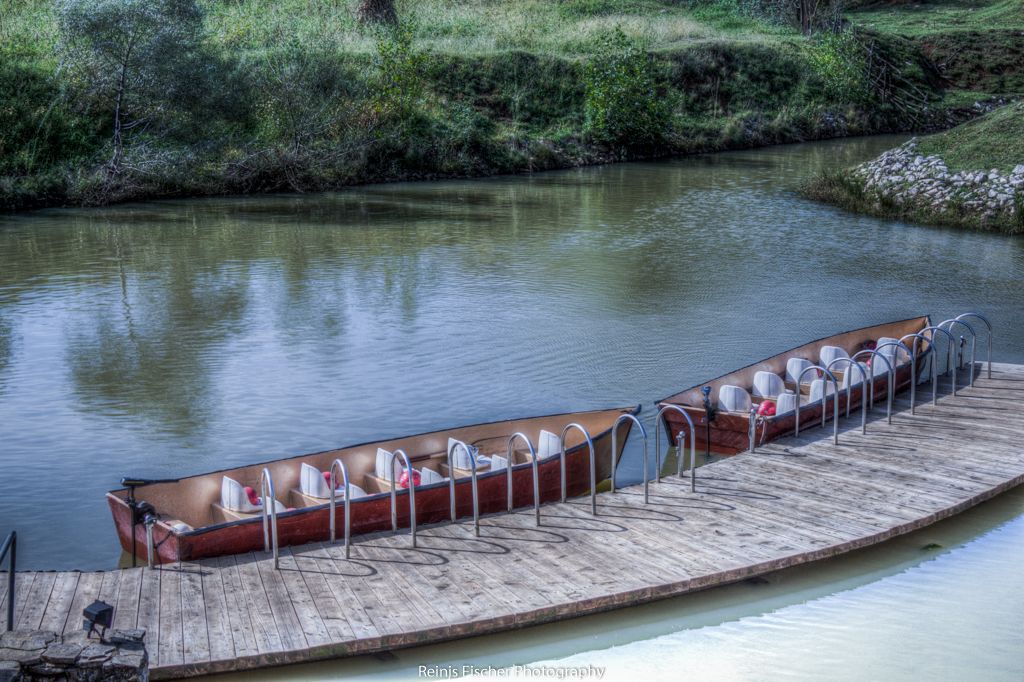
{"x": 971, "y": 177}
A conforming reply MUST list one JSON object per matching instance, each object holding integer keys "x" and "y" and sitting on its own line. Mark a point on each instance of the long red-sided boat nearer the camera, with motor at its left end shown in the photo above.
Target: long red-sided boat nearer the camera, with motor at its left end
{"x": 193, "y": 523}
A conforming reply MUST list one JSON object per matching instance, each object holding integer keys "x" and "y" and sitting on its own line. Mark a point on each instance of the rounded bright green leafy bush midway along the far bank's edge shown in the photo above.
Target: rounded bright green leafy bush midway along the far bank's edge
{"x": 624, "y": 102}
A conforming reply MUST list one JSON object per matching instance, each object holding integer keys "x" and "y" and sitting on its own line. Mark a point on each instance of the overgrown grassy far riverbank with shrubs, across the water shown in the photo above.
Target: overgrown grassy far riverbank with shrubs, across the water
{"x": 300, "y": 97}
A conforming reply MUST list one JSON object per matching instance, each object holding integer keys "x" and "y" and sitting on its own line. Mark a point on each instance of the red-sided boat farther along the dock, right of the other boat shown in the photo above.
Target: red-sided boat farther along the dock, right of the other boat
{"x": 731, "y": 431}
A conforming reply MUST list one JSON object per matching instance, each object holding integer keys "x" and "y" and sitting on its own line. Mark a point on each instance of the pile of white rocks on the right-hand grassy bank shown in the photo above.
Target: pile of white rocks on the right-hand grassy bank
{"x": 911, "y": 181}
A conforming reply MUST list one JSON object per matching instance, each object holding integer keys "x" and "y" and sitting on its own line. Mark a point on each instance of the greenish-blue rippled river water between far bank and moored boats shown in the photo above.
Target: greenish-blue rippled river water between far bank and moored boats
{"x": 173, "y": 338}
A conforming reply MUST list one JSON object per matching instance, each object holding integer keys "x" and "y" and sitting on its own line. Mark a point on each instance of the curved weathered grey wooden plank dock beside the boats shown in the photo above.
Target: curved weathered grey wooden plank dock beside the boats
{"x": 795, "y": 501}
